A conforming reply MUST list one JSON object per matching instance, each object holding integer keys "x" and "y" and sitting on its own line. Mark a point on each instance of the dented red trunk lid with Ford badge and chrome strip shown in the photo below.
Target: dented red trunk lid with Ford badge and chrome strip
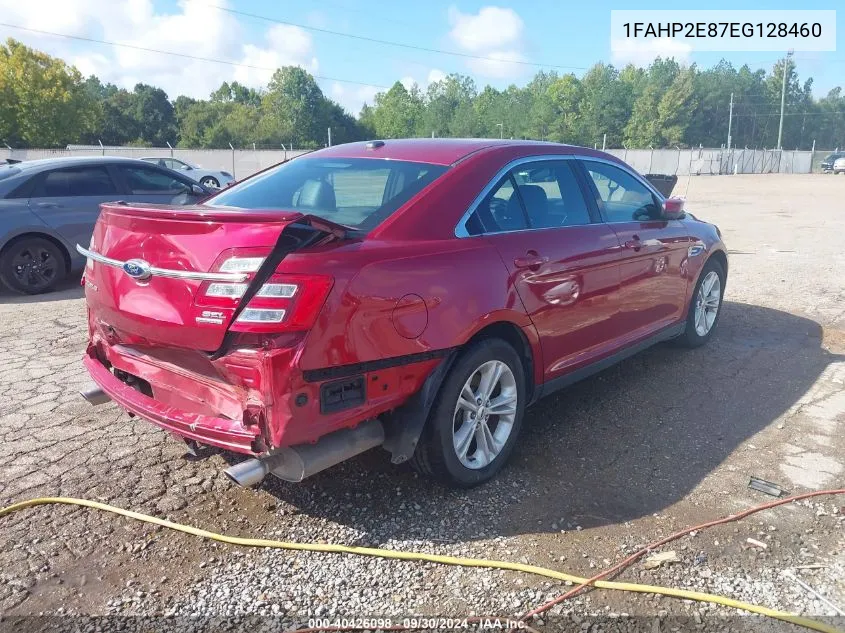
{"x": 168, "y": 307}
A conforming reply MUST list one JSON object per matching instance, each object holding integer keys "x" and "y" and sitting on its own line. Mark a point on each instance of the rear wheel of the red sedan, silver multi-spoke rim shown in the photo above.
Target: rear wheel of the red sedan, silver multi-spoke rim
{"x": 466, "y": 442}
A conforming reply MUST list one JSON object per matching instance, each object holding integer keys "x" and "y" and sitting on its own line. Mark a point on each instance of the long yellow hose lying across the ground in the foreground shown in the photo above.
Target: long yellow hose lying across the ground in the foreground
{"x": 432, "y": 558}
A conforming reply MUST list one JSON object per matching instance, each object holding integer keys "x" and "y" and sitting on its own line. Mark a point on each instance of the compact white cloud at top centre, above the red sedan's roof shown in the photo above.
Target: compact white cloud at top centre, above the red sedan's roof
{"x": 495, "y": 34}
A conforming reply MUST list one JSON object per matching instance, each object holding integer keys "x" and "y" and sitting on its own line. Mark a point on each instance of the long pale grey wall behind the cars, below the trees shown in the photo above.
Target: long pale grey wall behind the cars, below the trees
{"x": 245, "y": 162}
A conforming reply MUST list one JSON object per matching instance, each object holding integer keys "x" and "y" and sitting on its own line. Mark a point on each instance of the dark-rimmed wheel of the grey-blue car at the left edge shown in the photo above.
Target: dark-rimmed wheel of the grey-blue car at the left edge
{"x": 32, "y": 265}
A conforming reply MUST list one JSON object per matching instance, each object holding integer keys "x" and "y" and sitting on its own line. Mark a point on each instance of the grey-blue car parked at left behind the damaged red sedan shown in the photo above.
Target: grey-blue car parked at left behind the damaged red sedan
{"x": 48, "y": 206}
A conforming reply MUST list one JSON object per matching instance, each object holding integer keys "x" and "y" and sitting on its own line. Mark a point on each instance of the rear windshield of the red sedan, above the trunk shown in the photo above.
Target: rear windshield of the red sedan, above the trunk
{"x": 356, "y": 192}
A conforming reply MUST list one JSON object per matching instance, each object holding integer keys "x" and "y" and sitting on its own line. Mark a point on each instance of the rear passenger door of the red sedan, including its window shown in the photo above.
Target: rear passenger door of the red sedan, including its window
{"x": 561, "y": 257}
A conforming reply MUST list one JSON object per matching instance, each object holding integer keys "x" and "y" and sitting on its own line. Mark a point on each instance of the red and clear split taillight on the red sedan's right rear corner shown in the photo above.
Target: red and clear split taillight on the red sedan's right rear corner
{"x": 285, "y": 302}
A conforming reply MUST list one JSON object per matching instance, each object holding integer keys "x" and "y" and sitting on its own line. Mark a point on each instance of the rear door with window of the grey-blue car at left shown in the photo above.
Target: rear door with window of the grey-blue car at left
{"x": 68, "y": 200}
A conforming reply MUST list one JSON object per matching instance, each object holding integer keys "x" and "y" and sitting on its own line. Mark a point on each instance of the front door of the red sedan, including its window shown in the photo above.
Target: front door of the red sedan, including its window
{"x": 654, "y": 251}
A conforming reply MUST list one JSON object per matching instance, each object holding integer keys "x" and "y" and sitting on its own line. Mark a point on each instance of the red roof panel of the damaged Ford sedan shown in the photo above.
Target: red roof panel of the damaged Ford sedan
{"x": 441, "y": 151}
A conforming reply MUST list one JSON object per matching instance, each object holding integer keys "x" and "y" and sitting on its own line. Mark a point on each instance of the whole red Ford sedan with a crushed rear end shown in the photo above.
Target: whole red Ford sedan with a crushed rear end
{"x": 412, "y": 294}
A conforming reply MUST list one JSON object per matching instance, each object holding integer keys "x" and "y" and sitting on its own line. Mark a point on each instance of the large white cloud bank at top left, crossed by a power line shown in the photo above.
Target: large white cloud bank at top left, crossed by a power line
{"x": 193, "y": 29}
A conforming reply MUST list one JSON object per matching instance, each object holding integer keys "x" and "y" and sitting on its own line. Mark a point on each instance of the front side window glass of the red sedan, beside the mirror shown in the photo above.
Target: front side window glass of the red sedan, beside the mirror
{"x": 624, "y": 198}
